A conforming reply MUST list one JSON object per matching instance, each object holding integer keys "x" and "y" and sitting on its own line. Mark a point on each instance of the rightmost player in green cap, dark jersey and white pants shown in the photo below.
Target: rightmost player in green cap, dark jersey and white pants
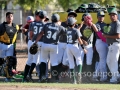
{"x": 113, "y": 41}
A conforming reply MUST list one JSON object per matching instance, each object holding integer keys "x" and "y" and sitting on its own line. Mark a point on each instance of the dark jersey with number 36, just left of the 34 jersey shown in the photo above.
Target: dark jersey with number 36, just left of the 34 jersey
{"x": 36, "y": 27}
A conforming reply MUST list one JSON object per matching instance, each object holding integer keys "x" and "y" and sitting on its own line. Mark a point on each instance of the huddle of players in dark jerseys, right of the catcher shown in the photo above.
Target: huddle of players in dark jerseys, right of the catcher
{"x": 65, "y": 43}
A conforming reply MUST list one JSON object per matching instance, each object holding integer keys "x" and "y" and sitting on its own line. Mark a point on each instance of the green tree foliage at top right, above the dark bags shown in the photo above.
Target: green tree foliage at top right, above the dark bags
{"x": 65, "y": 4}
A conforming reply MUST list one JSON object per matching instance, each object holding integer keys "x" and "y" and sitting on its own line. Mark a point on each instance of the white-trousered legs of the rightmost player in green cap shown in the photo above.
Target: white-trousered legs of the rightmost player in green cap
{"x": 112, "y": 61}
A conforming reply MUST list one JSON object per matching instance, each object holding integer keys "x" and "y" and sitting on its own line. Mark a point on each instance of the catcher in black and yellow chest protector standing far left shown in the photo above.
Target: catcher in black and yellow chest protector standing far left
{"x": 8, "y": 35}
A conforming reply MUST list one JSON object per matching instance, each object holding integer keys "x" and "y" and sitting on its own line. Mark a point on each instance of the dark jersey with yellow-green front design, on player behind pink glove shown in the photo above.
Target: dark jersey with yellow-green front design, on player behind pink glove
{"x": 87, "y": 33}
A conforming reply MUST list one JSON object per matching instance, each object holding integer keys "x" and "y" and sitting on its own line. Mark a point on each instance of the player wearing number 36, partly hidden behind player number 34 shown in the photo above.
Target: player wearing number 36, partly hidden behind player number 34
{"x": 35, "y": 29}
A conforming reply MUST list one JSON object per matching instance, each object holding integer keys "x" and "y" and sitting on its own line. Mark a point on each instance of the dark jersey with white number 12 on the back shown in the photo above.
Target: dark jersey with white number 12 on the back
{"x": 72, "y": 35}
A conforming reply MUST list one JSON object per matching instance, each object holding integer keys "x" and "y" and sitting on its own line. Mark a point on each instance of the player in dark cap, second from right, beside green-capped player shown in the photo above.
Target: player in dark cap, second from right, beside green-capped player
{"x": 101, "y": 48}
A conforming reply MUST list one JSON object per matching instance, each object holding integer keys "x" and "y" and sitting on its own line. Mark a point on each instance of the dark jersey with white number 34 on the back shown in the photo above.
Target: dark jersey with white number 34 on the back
{"x": 52, "y": 31}
